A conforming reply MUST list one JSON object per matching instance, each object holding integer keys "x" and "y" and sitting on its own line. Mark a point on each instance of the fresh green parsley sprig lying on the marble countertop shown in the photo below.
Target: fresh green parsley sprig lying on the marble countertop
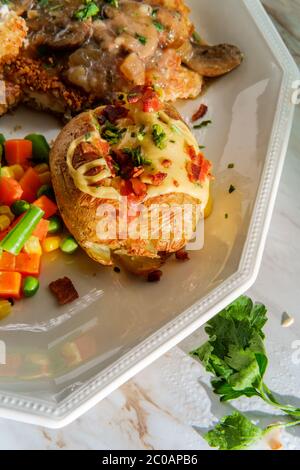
{"x": 235, "y": 355}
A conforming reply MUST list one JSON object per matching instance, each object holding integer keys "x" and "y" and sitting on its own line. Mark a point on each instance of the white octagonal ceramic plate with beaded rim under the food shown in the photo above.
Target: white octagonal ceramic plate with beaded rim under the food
{"x": 121, "y": 324}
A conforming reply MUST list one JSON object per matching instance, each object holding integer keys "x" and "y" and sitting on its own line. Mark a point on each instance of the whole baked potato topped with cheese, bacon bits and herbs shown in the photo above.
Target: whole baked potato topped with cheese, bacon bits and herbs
{"x": 130, "y": 181}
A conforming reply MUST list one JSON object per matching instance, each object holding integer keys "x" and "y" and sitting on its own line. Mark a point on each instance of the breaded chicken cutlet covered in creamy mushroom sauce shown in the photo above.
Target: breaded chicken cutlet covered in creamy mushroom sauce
{"x": 80, "y": 53}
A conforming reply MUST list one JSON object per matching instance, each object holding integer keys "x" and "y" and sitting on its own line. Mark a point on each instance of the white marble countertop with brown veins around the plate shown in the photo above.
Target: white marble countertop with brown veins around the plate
{"x": 168, "y": 404}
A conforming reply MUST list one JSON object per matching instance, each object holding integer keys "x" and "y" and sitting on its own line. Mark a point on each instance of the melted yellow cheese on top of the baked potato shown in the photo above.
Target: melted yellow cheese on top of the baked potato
{"x": 177, "y": 139}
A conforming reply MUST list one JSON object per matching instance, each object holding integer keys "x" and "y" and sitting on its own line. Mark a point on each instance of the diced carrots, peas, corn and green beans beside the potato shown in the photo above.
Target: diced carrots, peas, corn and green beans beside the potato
{"x": 29, "y": 221}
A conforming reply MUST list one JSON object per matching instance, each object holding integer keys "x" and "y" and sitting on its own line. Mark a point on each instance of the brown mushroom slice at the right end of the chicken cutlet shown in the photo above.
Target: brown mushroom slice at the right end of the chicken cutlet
{"x": 211, "y": 61}
